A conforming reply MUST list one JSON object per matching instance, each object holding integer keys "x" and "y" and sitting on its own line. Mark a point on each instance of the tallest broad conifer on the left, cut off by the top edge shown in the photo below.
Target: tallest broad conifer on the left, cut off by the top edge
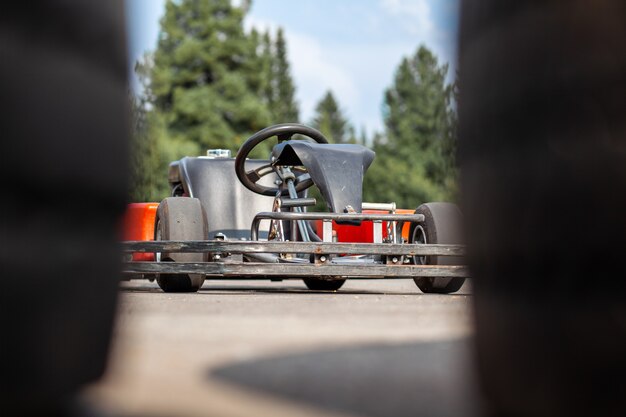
{"x": 205, "y": 79}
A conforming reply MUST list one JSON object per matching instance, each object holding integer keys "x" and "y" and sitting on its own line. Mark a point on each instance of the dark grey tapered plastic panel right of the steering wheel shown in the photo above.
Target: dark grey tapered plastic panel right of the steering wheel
{"x": 336, "y": 169}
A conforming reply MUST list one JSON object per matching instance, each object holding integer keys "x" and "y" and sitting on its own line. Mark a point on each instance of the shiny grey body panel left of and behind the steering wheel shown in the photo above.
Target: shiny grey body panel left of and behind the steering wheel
{"x": 229, "y": 206}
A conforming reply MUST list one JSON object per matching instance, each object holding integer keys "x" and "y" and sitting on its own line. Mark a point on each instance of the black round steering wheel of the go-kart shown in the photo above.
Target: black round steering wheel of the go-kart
{"x": 283, "y": 132}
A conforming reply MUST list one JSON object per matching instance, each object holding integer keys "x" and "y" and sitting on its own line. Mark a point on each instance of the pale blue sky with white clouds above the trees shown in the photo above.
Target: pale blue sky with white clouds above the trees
{"x": 351, "y": 47}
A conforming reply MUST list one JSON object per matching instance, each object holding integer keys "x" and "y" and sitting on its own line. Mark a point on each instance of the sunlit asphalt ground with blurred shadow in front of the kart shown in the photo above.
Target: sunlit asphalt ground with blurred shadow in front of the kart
{"x": 256, "y": 348}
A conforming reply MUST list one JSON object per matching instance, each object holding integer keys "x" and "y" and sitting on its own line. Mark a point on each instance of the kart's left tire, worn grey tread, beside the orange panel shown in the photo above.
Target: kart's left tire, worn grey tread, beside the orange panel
{"x": 180, "y": 218}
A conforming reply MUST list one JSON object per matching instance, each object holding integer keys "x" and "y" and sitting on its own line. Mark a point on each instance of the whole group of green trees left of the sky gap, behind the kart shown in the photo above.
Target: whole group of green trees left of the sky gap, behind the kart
{"x": 207, "y": 85}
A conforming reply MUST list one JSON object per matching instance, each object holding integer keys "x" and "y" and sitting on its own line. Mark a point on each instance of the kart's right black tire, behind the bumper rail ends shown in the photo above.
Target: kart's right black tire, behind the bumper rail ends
{"x": 442, "y": 224}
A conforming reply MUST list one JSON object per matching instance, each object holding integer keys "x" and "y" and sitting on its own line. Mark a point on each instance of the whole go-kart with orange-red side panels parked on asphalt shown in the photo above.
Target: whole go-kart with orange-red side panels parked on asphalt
{"x": 239, "y": 218}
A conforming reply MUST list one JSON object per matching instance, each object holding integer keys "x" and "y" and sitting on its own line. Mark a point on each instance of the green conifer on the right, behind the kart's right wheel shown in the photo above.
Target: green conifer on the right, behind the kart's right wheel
{"x": 415, "y": 156}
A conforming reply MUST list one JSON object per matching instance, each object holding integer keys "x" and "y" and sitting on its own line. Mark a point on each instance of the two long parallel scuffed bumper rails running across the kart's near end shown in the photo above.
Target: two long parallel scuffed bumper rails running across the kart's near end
{"x": 326, "y": 263}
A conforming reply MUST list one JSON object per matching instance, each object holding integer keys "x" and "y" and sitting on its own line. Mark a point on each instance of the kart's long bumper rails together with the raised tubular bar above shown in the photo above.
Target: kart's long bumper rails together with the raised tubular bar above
{"x": 325, "y": 263}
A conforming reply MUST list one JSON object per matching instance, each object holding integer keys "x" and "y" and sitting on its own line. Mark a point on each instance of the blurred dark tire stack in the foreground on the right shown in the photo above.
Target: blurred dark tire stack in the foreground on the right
{"x": 543, "y": 154}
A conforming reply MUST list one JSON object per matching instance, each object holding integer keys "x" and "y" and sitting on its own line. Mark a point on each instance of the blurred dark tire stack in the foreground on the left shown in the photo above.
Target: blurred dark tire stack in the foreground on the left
{"x": 63, "y": 113}
